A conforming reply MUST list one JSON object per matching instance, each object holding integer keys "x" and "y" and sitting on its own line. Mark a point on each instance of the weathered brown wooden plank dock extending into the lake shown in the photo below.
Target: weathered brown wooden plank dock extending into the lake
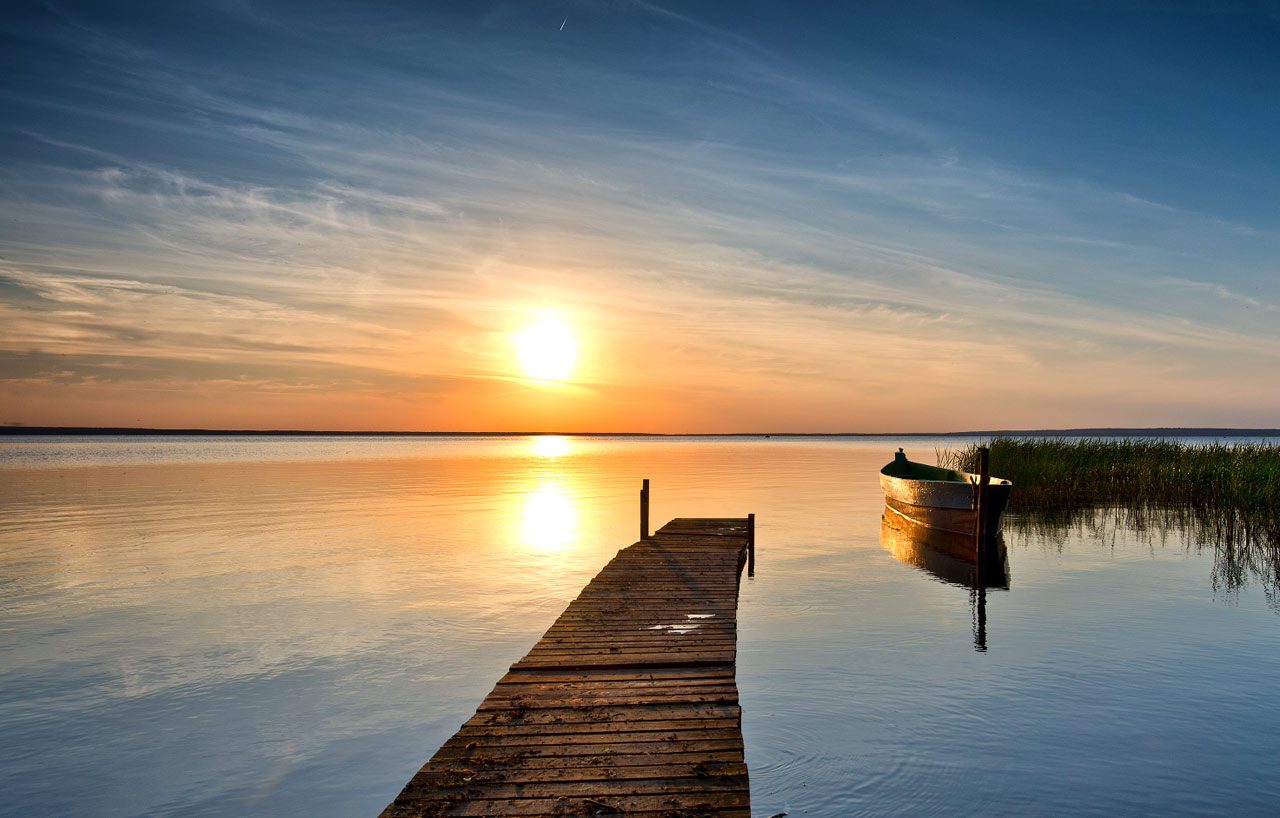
{"x": 628, "y": 706}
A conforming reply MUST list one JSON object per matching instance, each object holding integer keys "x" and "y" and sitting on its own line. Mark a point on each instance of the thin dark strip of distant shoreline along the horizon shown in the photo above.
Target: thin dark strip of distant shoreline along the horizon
{"x": 1158, "y": 432}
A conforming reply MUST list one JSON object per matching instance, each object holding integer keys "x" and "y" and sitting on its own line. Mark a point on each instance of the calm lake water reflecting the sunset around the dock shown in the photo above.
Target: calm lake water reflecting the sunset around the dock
{"x": 248, "y": 627}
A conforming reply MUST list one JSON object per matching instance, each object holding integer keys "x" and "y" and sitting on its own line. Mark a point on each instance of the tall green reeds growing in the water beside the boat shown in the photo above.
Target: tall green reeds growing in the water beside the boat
{"x": 1227, "y": 493}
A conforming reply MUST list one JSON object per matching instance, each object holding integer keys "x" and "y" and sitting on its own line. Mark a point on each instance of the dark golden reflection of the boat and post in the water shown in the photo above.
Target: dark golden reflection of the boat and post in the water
{"x": 954, "y": 559}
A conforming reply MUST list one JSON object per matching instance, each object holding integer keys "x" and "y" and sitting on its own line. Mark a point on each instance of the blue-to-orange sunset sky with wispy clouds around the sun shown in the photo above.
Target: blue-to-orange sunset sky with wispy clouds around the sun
{"x": 748, "y": 217}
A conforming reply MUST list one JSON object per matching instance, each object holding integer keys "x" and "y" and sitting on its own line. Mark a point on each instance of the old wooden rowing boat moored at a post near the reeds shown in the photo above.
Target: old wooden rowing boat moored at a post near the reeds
{"x": 941, "y": 499}
